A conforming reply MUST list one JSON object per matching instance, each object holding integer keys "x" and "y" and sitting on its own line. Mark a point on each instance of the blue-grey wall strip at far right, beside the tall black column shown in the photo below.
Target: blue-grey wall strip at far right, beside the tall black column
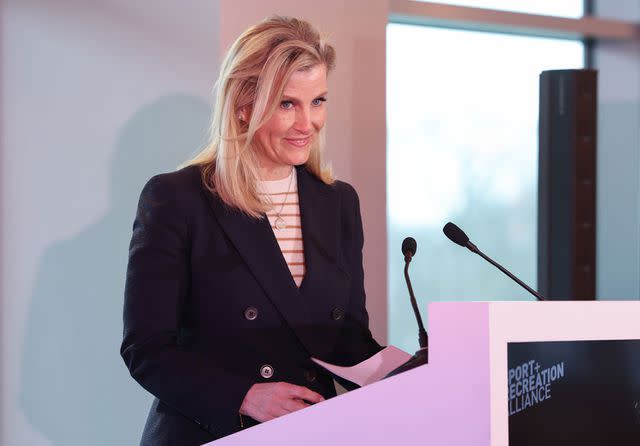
{"x": 618, "y": 193}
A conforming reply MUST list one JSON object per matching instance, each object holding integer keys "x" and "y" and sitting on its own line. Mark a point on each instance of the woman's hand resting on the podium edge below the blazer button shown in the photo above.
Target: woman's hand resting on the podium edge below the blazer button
{"x": 266, "y": 401}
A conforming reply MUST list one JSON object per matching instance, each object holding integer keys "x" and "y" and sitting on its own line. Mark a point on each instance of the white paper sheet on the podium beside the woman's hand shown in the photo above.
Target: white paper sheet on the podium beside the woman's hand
{"x": 369, "y": 370}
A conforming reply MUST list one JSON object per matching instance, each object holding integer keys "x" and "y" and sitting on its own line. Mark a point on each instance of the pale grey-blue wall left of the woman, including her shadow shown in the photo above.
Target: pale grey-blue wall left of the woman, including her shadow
{"x": 96, "y": 97}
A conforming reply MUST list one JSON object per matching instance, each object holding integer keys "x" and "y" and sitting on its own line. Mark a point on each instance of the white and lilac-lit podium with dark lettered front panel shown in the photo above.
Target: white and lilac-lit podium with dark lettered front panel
{"x": 493, "y": 366}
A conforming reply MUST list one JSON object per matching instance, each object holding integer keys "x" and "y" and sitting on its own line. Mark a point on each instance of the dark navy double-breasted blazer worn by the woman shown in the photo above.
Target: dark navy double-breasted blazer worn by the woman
{"x": 211, "y": 307}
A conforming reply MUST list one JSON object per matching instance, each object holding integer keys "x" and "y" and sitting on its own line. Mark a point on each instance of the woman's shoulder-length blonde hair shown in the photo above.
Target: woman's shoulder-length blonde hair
{"x": 252, "y": 78}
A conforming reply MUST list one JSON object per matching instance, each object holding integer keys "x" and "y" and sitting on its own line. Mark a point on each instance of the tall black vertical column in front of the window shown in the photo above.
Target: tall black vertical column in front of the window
{"x": 567, "y": 184}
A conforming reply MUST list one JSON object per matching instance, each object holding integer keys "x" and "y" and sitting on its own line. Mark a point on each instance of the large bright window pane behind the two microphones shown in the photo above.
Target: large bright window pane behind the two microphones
{"x": 462, "y": 126}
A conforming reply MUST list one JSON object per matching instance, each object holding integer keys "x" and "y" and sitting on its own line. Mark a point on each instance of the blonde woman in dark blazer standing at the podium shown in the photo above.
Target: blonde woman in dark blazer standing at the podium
{"x": 224, "y": 307}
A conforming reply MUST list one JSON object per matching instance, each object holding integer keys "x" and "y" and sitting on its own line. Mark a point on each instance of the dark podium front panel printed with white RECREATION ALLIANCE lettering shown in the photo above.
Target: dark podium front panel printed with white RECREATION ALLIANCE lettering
{"x": 583, "y": 393}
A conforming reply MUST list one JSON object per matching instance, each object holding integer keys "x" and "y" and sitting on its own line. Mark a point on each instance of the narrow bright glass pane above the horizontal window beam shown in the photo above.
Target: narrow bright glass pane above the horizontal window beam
{"x": 560, "y": 8}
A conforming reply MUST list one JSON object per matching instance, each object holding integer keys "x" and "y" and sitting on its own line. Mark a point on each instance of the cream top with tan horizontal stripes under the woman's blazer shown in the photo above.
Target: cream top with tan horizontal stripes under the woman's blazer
{"x": 284, "y": 217}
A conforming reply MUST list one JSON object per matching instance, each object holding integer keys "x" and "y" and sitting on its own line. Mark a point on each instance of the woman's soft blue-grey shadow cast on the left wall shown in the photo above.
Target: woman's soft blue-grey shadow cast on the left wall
{"x": 76, "y": 389}
